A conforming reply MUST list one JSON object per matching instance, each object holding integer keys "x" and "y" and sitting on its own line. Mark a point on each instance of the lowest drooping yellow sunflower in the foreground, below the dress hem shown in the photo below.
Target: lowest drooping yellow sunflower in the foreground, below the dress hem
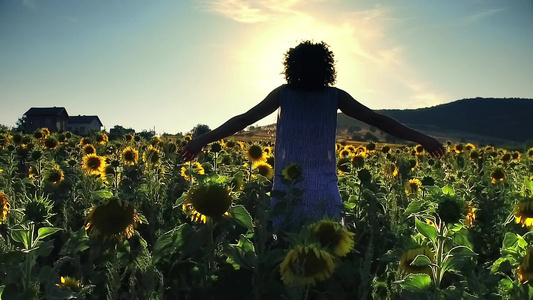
{"x": 305, "y": 265}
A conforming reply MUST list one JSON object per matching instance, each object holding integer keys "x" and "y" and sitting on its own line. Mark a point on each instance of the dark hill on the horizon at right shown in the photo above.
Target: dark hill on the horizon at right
{"x": 495, "y": 120}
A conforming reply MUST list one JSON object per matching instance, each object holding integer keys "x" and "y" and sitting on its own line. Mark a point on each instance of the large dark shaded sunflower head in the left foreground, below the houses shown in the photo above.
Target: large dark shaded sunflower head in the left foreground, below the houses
{"x": 112, "y": 220}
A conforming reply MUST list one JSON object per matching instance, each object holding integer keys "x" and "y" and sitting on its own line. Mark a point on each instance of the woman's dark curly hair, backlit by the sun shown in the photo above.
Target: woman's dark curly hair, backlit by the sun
{"x": 309, "y": 66}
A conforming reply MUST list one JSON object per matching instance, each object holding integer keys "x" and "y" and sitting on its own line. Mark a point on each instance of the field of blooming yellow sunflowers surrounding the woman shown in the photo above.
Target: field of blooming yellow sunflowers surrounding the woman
{"x": 93, "y": 218}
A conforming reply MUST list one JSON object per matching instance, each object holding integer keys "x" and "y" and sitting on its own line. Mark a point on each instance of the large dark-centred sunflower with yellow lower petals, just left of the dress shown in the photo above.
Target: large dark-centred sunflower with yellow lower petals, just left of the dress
{"x": 208, "y": 200}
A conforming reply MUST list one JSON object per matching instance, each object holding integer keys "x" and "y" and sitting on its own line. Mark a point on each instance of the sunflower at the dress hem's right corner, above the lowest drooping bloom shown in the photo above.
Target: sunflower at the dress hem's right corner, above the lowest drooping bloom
{"x": 333, "y": 236}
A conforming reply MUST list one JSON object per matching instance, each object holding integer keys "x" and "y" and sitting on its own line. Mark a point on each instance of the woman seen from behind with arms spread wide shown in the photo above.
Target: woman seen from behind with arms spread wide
{"x": 306, "y": 128}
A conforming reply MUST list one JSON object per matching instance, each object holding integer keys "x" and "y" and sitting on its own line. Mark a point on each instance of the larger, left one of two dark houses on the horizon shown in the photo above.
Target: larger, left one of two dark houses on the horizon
{"x": 53, "y": 118}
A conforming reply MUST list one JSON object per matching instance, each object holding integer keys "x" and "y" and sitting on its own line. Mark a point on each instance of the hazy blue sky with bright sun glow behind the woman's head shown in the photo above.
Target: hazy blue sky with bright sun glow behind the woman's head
{"x": 169, "y": 65}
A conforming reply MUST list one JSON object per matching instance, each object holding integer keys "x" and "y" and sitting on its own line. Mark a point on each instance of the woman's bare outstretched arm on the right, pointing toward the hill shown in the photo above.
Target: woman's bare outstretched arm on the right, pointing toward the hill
{"x": 349, "y": 106}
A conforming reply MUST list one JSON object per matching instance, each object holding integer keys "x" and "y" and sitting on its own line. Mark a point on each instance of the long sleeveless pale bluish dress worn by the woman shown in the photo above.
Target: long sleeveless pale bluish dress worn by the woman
{"x": 306, "y": 134}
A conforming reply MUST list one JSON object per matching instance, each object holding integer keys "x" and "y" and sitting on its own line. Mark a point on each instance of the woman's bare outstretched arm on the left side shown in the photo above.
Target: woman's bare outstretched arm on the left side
{"x": 237, "y": 123}
